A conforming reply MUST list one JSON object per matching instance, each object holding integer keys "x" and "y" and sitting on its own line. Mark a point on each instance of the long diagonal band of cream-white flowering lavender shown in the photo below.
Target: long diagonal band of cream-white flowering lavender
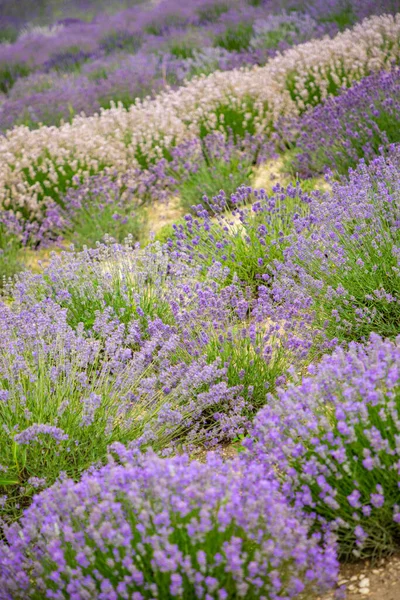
{"x": 38, "y": 165}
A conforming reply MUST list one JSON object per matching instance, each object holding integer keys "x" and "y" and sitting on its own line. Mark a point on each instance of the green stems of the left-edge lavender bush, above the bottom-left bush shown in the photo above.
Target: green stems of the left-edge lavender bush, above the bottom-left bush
{"x": 86, "y": 446}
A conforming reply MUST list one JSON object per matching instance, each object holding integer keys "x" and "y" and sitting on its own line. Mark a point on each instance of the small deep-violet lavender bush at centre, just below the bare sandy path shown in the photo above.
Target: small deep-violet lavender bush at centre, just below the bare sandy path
{"x": 237, "y": 246}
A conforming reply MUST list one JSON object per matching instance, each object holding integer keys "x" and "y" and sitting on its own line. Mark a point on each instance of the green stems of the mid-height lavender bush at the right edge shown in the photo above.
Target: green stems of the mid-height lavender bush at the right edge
{"x": 356, "y": 294}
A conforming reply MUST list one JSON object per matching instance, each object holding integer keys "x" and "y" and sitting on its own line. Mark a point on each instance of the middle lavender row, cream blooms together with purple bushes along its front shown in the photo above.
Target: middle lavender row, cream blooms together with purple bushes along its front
{"x": 163, "y": 146}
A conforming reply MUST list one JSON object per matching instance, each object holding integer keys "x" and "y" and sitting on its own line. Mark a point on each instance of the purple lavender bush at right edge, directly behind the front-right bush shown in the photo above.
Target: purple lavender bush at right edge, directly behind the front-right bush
{"x": 341, "y": 273}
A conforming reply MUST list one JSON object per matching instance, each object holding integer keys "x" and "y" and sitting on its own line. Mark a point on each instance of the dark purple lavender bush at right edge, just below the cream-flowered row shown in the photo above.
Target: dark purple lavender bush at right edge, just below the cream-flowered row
{"x": 338, "y": 133}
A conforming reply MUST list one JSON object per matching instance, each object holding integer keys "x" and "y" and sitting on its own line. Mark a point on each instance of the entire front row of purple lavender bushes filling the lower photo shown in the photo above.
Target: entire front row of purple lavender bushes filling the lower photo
{"x": 180, "y": 344}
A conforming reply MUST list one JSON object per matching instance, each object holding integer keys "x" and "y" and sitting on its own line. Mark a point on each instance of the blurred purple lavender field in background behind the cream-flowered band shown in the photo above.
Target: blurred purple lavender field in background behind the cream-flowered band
{"x": 50, "y": 74}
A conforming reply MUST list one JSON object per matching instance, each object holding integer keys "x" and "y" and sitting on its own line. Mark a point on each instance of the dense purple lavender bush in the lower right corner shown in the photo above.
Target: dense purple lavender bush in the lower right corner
{"x": 334, "y": 437}
